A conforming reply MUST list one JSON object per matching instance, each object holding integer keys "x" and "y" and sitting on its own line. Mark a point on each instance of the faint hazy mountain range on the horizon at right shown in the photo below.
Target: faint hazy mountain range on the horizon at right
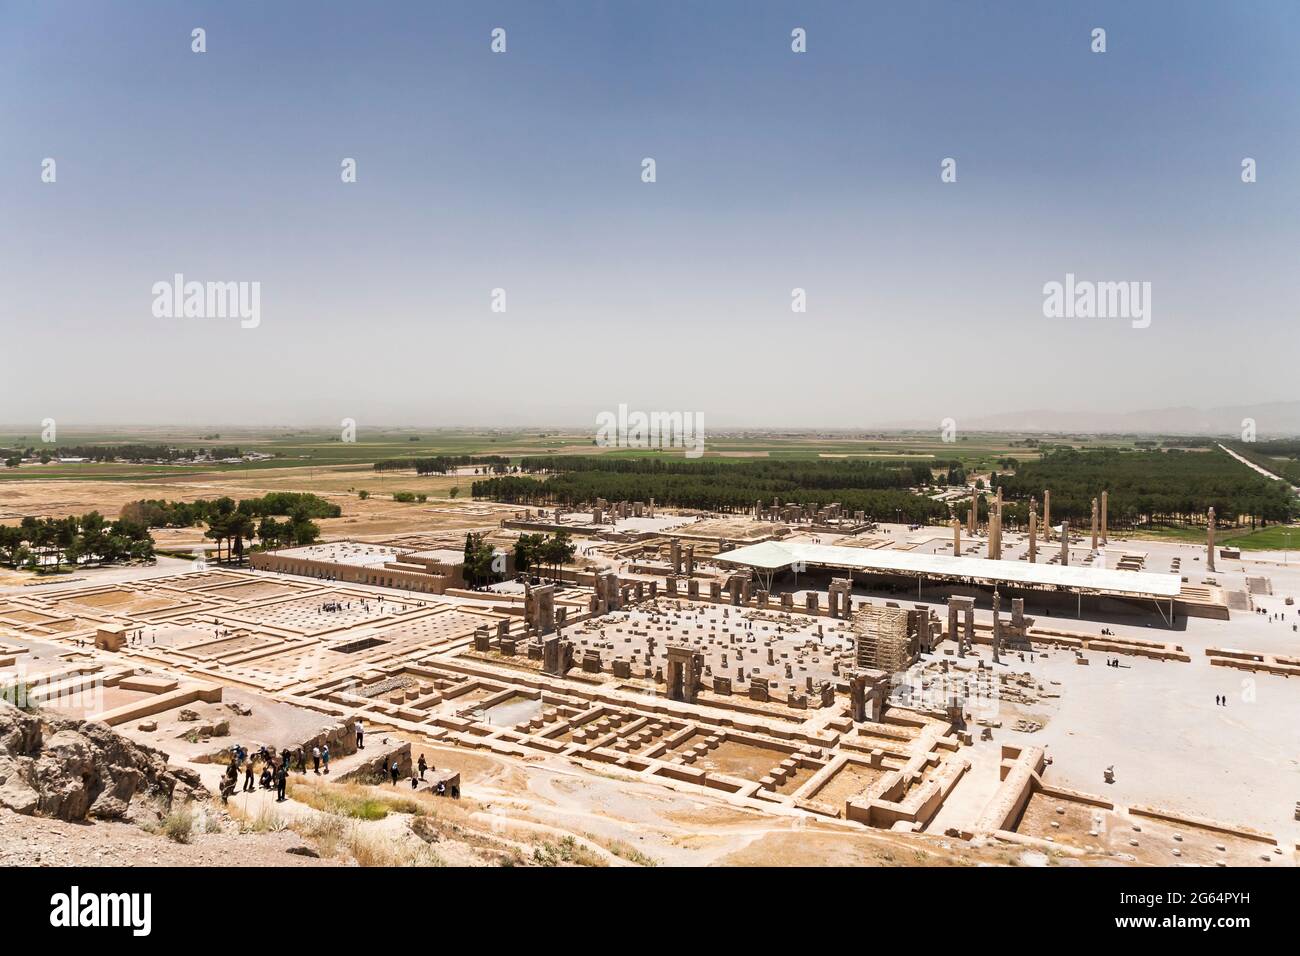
{"x": 1271, "y": 419}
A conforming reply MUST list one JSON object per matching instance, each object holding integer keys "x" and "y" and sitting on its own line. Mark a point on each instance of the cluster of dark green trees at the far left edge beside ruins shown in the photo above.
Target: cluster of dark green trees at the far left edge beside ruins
{"x": 50, "y": 543}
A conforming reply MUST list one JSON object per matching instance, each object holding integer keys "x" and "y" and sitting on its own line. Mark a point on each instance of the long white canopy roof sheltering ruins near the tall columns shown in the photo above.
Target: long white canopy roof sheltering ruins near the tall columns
{"x": 772, "y": 556}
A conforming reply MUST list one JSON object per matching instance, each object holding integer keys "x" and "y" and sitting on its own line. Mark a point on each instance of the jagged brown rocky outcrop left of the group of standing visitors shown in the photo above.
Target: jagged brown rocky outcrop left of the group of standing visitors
{"x": 80, "y": 769}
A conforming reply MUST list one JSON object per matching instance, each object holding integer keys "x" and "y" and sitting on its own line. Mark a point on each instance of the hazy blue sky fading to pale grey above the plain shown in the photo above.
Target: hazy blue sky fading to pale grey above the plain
{"x": 522, "y": 171}
